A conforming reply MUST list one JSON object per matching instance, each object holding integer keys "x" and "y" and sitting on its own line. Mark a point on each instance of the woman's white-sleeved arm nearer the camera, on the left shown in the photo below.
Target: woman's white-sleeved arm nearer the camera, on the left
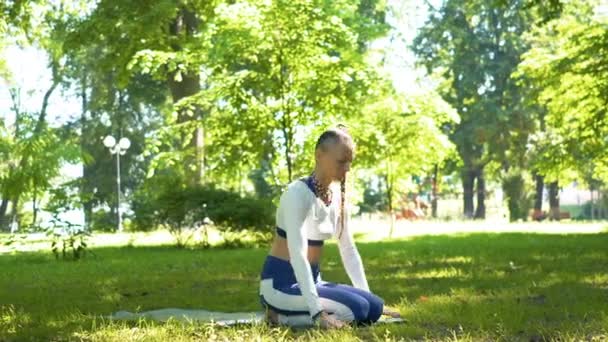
{"x": 295, "y": 205}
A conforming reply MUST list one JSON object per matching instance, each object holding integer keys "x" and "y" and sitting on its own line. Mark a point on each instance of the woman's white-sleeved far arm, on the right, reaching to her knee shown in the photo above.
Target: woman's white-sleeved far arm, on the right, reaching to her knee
{"x": 350, "y": 255}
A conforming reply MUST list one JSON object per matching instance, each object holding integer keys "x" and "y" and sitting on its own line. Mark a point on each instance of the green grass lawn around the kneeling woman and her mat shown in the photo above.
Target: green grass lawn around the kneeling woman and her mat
{"x": 482, "y": 286}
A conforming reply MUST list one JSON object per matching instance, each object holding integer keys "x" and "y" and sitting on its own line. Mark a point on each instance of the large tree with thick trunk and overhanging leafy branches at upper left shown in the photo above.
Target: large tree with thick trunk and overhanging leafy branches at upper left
{"x": 170, "y": 32}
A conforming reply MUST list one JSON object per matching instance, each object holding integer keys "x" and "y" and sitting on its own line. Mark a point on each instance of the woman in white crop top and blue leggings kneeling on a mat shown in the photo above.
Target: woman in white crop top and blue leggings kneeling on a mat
{"x": 312, "y": 210}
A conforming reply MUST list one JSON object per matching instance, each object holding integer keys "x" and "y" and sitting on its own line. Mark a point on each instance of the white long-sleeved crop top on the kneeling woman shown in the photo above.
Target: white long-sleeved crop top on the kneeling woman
{"x": 305, "y": 217}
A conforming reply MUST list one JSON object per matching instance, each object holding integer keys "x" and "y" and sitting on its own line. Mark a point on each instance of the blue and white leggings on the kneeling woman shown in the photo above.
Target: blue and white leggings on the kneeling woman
{"x": 280, "y": 291}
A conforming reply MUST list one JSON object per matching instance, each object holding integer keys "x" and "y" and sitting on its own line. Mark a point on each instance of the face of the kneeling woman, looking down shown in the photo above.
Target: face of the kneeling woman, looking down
{"x": 335, "y": 160}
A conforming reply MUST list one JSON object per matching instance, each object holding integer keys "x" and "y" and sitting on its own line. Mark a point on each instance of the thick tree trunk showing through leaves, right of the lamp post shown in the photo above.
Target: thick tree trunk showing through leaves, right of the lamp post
{"x": 187, "y": 84}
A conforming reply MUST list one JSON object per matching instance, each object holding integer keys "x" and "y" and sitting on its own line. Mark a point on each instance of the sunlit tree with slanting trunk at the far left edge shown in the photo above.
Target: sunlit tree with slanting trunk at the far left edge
{"x": 36, "y": 155}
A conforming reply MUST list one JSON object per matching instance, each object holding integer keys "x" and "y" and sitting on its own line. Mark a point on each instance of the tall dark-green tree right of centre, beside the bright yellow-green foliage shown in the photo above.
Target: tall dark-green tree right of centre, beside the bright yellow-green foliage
{"x": 475, "y": 46}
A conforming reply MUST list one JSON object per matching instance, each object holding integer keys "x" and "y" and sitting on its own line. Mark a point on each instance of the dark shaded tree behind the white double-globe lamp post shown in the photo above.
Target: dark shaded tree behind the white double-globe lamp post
{"x": 107, "y": 109}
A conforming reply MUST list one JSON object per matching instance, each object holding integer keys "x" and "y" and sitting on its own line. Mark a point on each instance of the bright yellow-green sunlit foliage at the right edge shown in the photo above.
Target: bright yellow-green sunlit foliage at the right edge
{"x": 566, "y": 67}
